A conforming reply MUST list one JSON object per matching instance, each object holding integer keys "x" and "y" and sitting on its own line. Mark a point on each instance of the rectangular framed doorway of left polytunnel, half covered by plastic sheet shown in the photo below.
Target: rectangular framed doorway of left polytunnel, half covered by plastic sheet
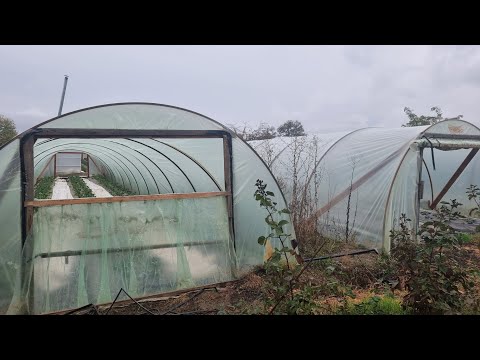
{"x": 167, "y": 227}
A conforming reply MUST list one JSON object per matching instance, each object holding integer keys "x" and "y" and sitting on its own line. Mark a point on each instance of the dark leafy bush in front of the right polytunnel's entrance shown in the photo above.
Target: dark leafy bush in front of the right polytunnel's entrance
{"x": 436, "y": 282}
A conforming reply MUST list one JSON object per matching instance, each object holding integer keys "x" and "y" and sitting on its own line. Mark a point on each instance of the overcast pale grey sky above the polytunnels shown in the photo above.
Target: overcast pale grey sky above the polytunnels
{"x": 327, "y": 88}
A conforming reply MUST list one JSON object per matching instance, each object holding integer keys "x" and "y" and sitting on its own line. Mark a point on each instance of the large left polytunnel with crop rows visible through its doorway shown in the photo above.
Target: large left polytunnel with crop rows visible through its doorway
{"x": 189, "y": 219}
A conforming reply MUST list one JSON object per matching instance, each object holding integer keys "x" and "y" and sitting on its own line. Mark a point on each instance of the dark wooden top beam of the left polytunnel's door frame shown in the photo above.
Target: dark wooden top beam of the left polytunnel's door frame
{"x": 123, "y": 133}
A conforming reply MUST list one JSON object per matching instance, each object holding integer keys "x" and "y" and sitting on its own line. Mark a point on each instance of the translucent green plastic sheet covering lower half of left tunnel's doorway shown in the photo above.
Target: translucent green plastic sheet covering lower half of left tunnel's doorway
{"x": 142, "y": 247}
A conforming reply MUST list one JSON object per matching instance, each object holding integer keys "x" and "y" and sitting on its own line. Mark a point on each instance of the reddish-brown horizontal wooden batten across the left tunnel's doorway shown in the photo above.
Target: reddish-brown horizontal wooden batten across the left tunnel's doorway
{"x": 41, "y": 203}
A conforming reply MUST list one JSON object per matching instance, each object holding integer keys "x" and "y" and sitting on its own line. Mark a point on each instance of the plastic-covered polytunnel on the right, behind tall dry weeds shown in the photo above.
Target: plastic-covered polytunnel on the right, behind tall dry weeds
{"x": 362, "y": 181}
